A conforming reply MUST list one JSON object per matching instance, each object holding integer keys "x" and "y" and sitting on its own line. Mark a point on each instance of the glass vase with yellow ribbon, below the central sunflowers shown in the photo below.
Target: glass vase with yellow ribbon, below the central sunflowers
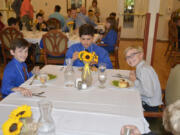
{"x": 87, "y": 75}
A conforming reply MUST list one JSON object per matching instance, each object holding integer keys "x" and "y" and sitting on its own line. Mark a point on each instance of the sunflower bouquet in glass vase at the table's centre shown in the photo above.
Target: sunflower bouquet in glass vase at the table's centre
{"x": 87, "y": 58}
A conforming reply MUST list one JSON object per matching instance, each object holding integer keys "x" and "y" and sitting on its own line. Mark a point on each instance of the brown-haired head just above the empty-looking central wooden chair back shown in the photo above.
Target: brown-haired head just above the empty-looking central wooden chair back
{"x": 53, "y": 23}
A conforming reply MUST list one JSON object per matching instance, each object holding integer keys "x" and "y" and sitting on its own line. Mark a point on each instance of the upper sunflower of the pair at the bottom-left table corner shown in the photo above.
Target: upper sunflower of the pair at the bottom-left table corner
{"x": 23, "y": 111}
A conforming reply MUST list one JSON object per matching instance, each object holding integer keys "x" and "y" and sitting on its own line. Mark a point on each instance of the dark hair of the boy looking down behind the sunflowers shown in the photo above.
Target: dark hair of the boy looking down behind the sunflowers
{"x": 86, "y": 29}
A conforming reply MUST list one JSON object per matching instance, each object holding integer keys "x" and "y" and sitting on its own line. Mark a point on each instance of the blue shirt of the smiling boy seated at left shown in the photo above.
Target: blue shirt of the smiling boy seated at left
{"x": 13, "y": 76}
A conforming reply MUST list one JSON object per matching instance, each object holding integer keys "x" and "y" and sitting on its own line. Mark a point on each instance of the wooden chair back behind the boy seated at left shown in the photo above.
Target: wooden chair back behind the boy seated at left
{"x": 6, "y": 36}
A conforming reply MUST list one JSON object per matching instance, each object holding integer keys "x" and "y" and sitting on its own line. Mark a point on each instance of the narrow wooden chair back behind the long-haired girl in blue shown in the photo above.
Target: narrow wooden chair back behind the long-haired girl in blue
{"x": 116, "y": 48}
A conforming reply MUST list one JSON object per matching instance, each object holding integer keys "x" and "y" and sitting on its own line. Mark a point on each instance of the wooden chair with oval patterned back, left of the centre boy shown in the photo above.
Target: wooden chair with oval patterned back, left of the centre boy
{"x": 55, "y": 45}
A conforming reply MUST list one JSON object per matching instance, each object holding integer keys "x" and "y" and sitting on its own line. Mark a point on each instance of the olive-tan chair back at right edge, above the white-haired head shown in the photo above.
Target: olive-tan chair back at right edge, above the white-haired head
{"x": 172, "y": 92}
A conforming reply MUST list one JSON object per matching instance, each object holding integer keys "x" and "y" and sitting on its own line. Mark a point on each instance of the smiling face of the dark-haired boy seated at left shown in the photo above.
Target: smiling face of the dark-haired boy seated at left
{"x": 20, "y": 54}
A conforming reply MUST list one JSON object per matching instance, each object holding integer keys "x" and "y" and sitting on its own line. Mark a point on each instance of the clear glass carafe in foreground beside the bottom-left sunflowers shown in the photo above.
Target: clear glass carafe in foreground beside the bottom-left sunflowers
{"x": 46, "y": 123}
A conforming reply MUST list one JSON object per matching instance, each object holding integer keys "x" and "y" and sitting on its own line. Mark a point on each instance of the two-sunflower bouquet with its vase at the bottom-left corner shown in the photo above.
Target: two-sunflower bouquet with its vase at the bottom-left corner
{"x": 18, "y": 122}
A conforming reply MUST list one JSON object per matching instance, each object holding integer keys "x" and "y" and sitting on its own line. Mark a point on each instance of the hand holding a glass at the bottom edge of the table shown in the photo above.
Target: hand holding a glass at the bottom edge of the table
{"x": 133, "y": 130}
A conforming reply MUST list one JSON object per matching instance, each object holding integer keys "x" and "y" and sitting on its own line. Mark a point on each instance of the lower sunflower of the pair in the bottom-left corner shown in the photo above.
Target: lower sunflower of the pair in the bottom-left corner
{"x": 12, "y": 127}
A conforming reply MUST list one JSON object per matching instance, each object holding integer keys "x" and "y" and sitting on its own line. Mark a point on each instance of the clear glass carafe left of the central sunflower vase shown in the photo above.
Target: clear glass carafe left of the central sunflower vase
{"x": 69, "y": 74}
